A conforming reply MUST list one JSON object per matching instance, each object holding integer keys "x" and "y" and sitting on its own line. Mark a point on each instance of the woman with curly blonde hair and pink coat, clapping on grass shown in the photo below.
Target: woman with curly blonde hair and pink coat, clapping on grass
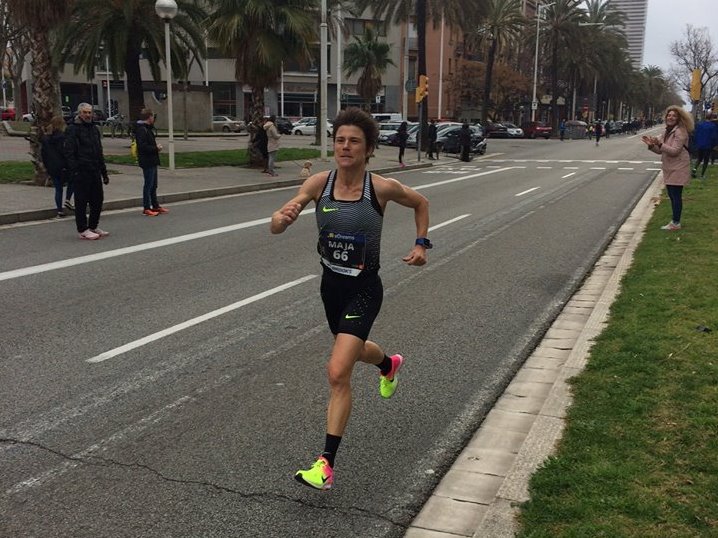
{"x": 675, "y": 158}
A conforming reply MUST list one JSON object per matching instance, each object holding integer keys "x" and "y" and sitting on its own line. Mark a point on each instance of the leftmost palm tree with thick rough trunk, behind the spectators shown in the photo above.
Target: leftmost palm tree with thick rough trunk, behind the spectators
{"x": 41, "y": 18}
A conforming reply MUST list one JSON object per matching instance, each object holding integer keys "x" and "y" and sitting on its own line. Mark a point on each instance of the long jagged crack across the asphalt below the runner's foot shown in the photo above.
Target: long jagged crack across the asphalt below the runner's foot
{"x": 106, "y": 462}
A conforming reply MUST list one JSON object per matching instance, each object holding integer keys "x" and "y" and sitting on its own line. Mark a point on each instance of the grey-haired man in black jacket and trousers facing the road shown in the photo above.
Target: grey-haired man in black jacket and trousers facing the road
{"x": 86, "y": 163}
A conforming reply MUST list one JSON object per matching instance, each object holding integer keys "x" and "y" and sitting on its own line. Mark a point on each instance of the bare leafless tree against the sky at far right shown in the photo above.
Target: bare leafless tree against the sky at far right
{"x": 696, "y": 51}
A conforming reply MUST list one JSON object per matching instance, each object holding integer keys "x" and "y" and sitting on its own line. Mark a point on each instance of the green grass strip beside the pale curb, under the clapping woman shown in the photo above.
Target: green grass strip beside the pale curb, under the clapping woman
{"x": 639, "y": 456}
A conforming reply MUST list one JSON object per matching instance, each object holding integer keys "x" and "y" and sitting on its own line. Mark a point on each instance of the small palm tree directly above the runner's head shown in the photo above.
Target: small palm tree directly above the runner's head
{"x": 370, "y": 56}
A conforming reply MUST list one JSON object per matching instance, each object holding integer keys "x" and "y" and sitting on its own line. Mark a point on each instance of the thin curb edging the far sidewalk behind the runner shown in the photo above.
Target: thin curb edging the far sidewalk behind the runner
{"x": 44, "y": 214}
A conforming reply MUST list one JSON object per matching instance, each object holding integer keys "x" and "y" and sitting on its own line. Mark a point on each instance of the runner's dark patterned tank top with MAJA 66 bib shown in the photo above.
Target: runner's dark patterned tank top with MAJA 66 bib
{"x": 349, "y": 231}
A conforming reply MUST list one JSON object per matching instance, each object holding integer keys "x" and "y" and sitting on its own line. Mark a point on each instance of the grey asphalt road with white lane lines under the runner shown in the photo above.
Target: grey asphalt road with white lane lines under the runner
{"x": 132, "y": 405}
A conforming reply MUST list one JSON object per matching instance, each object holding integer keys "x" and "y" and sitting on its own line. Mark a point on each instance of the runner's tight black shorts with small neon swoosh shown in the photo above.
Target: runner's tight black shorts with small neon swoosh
{"x": 351, "y": 303}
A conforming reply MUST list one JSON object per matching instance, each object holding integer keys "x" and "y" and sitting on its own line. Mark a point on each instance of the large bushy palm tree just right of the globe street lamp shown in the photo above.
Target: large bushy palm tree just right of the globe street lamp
{"x": 260, "y": 35}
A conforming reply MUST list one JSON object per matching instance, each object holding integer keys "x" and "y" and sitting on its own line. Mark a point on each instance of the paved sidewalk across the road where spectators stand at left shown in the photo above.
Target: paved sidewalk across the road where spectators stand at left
{"x": 21, "y": 203}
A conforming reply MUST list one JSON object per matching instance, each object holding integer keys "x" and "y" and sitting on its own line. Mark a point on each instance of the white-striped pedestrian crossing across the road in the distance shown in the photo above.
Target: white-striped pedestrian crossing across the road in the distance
{"x": 544, "y": 164}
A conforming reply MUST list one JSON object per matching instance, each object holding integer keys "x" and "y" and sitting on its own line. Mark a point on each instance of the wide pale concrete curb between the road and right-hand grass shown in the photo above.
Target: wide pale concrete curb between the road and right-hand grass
{"x": 480, "y": 495}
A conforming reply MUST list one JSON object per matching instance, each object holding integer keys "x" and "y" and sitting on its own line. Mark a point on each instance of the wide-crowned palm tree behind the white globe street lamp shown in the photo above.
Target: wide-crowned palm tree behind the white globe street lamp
{"x": 129, "y": 29}
